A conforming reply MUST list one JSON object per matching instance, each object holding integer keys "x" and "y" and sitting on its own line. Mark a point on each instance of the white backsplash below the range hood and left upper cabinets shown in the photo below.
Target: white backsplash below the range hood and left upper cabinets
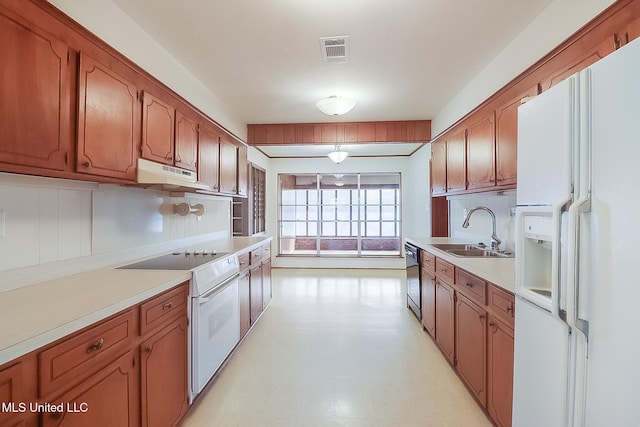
{"x": 48, "y": 221}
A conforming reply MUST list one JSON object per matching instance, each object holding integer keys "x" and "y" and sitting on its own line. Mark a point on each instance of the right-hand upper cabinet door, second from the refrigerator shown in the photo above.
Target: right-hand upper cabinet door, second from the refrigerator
{"x": 480, "y": 153}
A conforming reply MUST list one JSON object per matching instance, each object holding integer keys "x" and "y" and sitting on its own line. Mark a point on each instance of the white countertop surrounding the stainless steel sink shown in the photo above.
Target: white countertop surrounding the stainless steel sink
{"x": 499, "y": 271}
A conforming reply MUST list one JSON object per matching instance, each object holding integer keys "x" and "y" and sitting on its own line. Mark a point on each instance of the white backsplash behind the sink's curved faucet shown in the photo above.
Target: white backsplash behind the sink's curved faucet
{"x": 480, "y": 227}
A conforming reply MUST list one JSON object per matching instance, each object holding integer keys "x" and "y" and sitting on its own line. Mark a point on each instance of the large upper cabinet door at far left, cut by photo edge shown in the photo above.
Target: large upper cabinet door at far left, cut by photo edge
{"x": 36, "y": 96}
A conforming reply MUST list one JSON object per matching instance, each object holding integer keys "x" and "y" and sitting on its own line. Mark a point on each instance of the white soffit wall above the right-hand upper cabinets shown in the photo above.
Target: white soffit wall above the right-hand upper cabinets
{"x": 557, "y": 22}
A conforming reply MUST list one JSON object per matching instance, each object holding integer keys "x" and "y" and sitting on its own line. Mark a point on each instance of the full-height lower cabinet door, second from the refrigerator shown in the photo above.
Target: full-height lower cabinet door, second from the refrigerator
{"x": 471, "y": 346}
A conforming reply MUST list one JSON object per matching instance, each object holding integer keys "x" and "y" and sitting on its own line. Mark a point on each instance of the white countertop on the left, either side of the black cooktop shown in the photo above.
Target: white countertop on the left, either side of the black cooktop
{"x": 36, "y": 315}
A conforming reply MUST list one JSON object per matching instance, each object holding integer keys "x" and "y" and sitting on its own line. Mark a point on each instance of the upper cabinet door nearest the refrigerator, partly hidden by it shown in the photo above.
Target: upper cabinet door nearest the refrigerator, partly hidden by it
{"x": 507, "y": 138}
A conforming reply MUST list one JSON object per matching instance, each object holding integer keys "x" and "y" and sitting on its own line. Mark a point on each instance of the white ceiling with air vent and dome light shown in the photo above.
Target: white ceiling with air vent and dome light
{"x": 262, "y": 58}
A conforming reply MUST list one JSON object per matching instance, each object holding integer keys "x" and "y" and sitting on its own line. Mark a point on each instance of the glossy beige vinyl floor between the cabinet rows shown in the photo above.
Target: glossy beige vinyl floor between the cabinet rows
{"x": 336, "y": 348}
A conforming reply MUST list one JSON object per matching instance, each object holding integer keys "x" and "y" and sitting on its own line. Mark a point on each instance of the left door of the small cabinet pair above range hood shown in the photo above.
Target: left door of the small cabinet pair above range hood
{"x": 158, "y": 118}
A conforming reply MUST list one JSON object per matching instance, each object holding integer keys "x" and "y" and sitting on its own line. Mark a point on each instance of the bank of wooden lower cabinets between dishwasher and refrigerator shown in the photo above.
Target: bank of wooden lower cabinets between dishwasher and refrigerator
{"x": 473, "y": 322}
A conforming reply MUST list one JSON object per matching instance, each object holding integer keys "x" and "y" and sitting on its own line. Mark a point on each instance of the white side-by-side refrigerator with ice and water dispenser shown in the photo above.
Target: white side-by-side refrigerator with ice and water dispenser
{"x": 577, "y": 321}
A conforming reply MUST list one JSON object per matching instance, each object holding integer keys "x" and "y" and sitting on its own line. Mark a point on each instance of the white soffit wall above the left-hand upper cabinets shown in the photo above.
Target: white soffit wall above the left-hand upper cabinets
{"x": 111, "y": 24}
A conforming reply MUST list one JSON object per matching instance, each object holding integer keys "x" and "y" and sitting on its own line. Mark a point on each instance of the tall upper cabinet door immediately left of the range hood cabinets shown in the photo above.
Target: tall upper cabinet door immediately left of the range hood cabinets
{"x": 108, "y": 122}
